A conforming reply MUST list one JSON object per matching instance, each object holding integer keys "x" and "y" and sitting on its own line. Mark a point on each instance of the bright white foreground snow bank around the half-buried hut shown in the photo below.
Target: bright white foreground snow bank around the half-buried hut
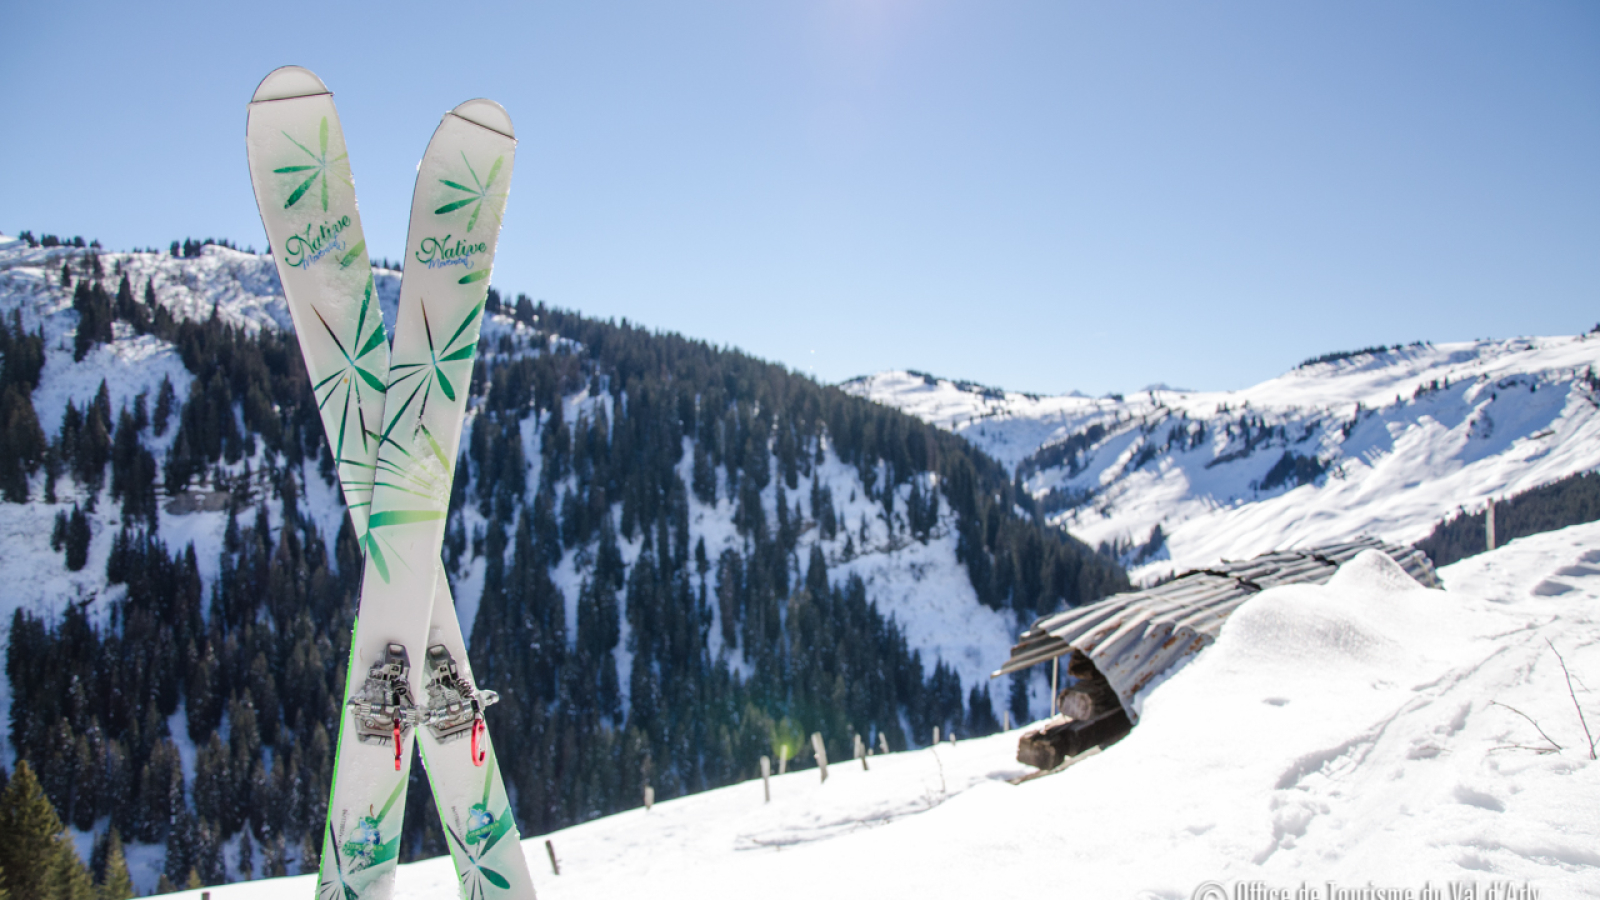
{"x": 1358, "y": 736}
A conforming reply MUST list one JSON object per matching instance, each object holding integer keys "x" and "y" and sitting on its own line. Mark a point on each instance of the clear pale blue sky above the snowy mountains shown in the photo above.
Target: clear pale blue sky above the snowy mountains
{"x": 1044, "y": 196}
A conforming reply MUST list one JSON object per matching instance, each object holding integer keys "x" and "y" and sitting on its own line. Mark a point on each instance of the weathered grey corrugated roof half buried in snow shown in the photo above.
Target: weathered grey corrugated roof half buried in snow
{"x": 1138, "y": 637}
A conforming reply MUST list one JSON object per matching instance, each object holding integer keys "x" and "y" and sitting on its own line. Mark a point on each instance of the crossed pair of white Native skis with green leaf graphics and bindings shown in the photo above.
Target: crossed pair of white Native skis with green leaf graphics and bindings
{"x": 393, "y": 420}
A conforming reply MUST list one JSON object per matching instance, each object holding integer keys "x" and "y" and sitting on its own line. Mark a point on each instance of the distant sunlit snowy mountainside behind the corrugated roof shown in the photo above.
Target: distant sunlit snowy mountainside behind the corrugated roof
{"x": 1383, "y": 444}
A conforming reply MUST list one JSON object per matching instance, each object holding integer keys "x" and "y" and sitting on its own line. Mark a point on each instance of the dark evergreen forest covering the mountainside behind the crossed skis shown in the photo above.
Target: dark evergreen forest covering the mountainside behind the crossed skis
{"x": 249, "y": 667}
